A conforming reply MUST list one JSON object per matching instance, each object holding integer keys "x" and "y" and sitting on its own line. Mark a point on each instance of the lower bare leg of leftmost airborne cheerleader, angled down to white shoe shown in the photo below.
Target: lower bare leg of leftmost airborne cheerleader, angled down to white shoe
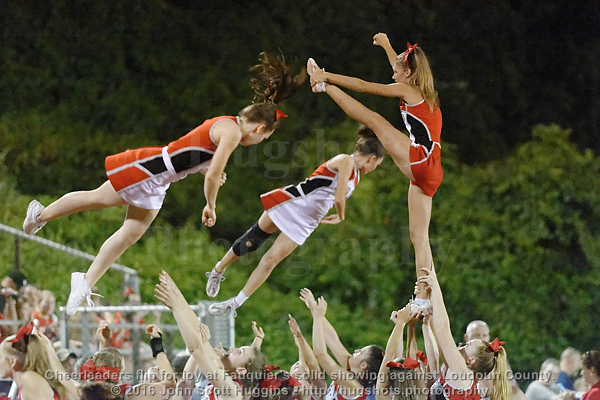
{"x": 135, "y": 225}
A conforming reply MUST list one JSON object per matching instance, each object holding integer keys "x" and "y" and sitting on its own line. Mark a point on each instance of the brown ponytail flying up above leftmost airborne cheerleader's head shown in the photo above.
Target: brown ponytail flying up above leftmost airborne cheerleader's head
{"x": 274, "y": 79}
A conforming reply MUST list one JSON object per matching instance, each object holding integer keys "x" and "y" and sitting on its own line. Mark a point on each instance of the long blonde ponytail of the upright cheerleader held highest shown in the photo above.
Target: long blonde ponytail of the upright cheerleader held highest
{"x": 420, "y": 76}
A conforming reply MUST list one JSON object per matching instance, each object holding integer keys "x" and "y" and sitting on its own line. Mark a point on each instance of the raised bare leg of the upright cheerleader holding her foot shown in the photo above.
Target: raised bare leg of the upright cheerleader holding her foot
{"x": 395, "y": 142}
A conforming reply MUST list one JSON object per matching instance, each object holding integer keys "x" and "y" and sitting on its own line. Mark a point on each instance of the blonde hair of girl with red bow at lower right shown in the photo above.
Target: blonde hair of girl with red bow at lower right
{"x": 486, "y": 361}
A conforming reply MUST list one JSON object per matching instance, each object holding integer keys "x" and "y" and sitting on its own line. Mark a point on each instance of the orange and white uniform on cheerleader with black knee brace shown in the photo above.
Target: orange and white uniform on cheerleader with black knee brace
{"x": 297, "y": 210}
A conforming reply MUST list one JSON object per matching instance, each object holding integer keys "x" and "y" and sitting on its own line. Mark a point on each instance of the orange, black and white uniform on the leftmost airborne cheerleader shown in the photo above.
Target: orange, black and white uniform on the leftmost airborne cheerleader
{"x": 142, "y": 176}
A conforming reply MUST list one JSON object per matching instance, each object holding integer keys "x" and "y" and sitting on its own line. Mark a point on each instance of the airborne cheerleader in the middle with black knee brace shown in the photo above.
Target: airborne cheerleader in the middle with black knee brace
{"x": 297, "y": 211}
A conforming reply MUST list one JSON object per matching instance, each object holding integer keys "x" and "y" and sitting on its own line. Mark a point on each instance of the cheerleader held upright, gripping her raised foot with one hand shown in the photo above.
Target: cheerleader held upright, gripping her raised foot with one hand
{"x": 417, "y": 156}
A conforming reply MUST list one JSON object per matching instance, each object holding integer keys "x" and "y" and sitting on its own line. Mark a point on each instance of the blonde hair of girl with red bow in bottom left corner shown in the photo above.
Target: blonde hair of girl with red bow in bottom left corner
{"x": 33, "y": 357}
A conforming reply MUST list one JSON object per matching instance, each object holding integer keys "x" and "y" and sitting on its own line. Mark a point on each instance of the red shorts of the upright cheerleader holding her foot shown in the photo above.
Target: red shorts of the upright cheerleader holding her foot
{"x": 426, "y": 168}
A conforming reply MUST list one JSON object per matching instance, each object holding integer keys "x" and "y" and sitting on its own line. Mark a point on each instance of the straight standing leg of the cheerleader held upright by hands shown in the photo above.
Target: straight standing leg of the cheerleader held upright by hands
{"x": 419, "y": 216}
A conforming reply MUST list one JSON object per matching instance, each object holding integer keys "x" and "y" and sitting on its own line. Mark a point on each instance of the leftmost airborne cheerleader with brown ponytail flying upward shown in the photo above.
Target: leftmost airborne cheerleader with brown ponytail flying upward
{"x": 140, "y": 178}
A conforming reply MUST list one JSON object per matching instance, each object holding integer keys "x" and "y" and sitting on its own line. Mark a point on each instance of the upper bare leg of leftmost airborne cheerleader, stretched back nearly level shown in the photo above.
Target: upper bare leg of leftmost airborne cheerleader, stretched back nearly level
{"x": 103, "y": 197}
